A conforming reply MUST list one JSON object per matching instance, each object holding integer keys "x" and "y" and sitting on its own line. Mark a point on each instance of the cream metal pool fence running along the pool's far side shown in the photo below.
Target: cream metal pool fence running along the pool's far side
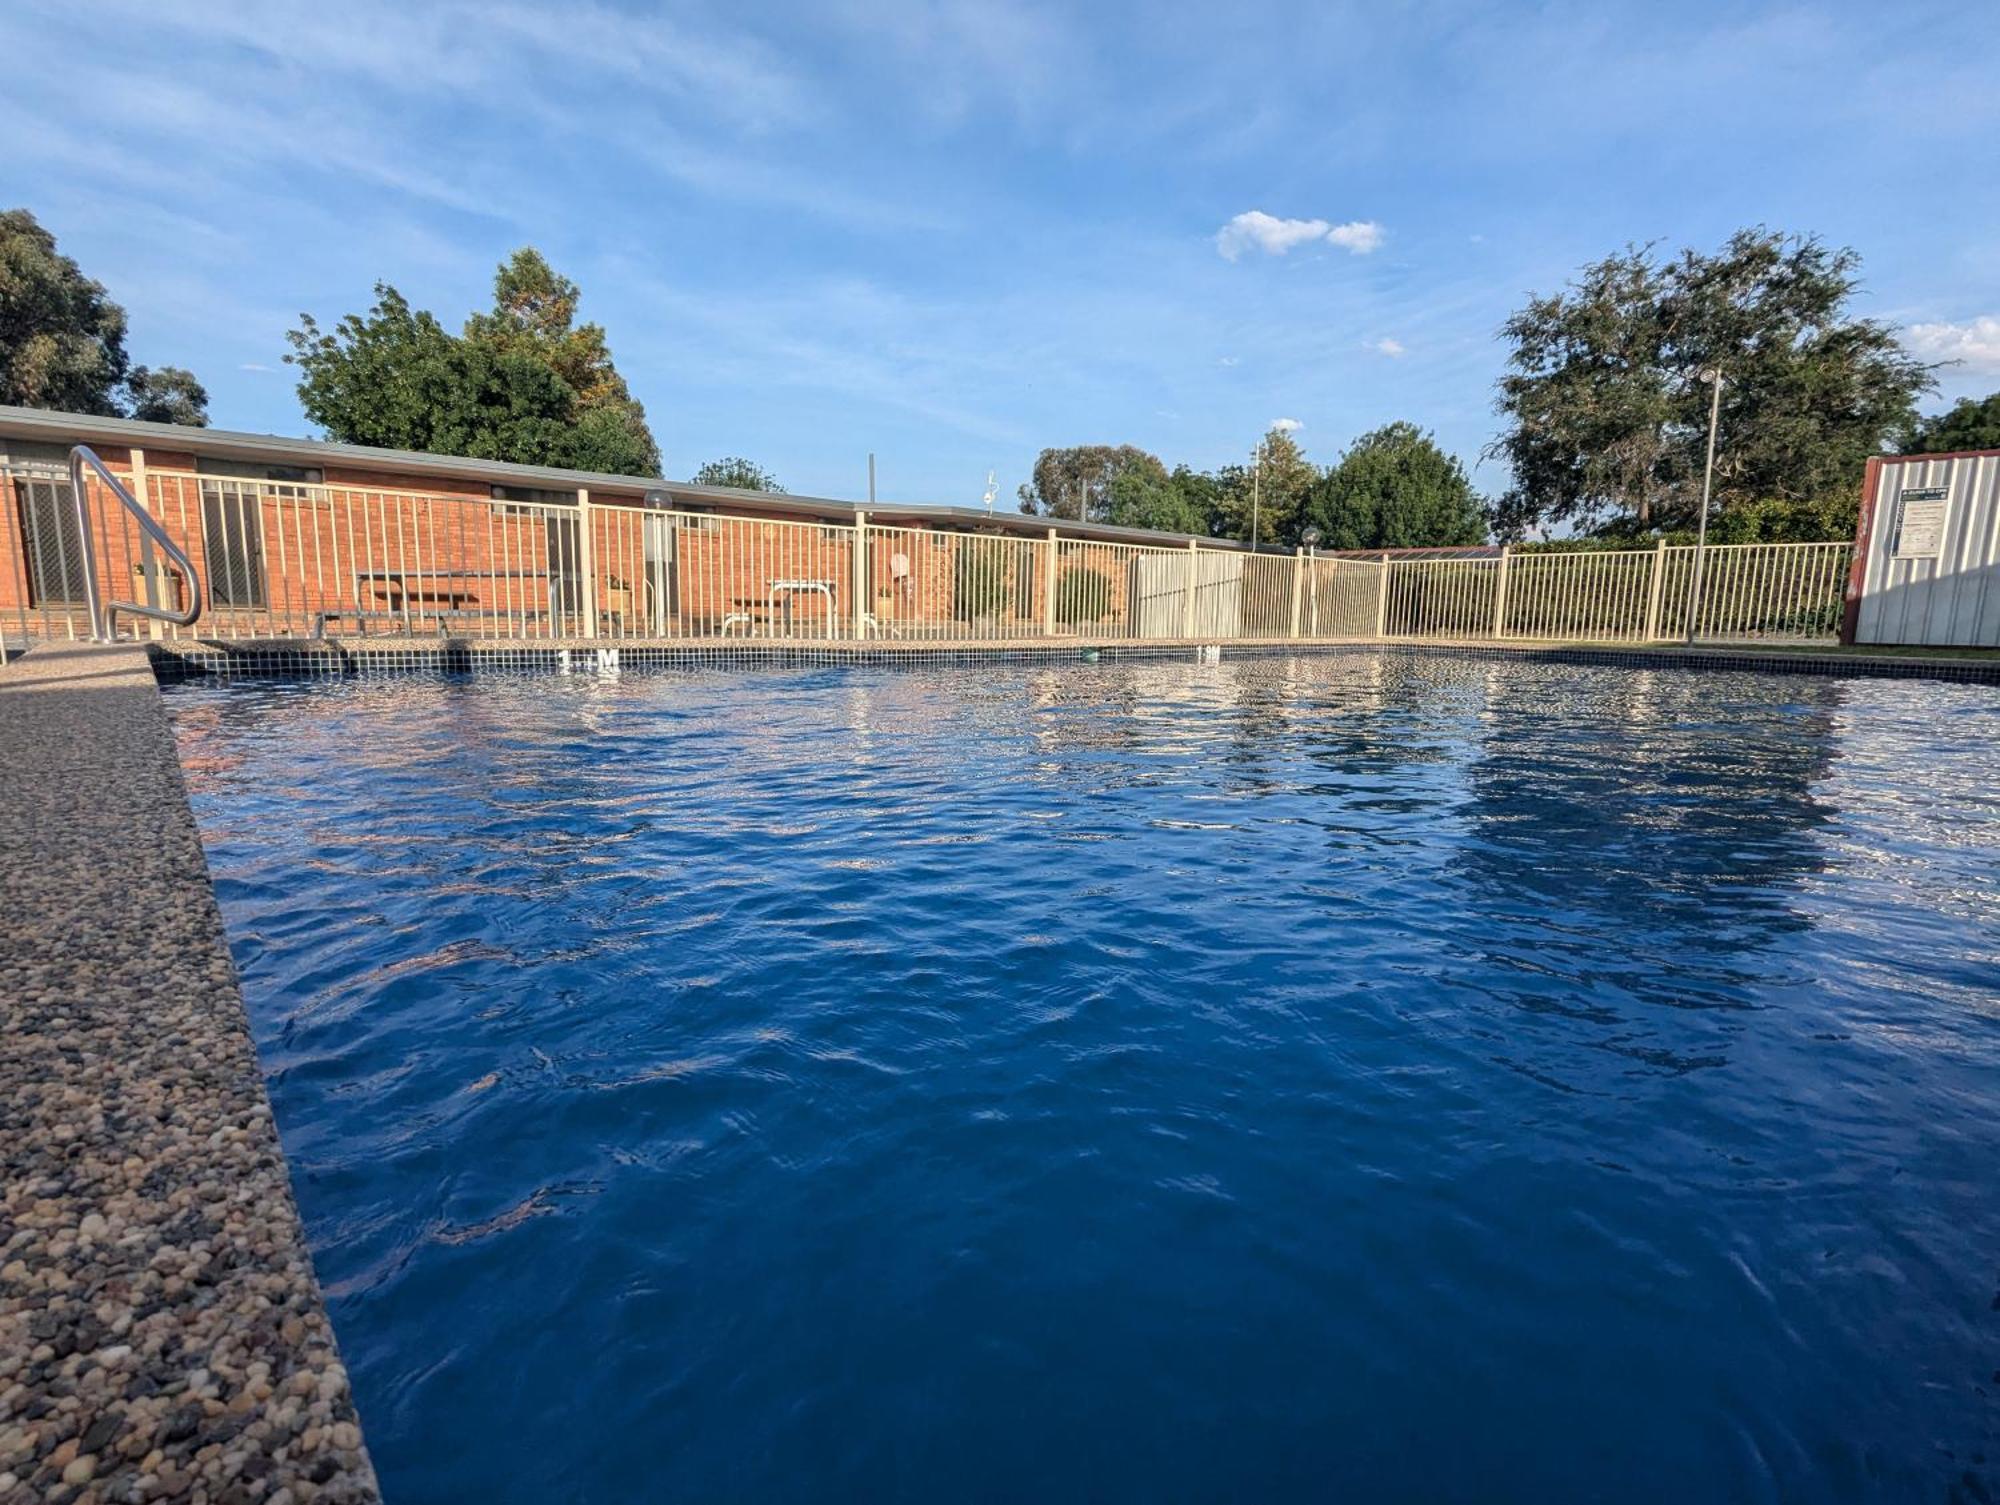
{"x": 293, "y": 559}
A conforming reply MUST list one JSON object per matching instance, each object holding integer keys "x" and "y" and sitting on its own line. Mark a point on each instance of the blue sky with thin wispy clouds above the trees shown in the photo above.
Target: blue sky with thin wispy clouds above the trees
{"x": 955, "y": 233}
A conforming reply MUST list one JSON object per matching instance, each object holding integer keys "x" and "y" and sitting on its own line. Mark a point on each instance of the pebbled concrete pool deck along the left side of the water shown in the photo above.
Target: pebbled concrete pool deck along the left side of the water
{"x": 163, "y": 1336}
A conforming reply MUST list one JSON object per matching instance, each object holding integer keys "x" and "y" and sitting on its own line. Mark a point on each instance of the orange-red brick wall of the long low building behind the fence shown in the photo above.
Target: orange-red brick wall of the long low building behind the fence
{"x": 383, "y": 541}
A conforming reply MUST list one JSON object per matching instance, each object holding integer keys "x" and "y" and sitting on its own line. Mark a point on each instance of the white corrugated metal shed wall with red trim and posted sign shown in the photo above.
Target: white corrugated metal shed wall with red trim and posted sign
{"x": 1931, "y": 573}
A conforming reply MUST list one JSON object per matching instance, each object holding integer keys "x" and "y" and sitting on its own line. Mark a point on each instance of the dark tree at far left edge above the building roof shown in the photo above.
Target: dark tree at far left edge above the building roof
{"x": 63, "y": 339}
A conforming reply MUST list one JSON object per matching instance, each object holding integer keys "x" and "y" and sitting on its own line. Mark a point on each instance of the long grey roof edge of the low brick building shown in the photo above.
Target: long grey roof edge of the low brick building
{"x": 45, "y": 425}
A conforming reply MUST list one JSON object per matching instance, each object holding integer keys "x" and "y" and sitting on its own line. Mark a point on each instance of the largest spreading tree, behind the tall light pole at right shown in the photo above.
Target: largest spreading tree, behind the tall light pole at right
{"x": 1609, "y": 415}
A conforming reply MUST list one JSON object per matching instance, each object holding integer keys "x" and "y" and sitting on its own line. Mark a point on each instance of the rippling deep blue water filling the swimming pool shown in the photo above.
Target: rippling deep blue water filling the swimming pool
{"x": 1353, "y": 1078}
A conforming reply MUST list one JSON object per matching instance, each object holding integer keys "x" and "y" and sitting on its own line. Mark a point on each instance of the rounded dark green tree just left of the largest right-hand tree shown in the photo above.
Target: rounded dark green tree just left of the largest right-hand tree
{"x": 1397, "y": 489}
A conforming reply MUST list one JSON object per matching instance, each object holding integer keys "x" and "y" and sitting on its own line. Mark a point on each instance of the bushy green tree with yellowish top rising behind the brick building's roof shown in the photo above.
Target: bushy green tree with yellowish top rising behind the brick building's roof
{"x": 523, "y": 383}
